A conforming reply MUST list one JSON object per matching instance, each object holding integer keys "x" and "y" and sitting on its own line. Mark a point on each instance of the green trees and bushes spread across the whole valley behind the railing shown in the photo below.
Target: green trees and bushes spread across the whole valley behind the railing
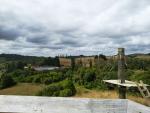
{"x": 63, "y": 82}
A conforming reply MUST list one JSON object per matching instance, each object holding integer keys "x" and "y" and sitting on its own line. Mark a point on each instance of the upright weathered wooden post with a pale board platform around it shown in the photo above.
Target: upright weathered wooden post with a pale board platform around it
{"x": 121, "y": 72}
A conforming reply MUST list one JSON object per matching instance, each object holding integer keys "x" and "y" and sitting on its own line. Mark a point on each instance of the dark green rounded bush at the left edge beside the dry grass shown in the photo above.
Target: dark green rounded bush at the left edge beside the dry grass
{"x": 6, "y": 81}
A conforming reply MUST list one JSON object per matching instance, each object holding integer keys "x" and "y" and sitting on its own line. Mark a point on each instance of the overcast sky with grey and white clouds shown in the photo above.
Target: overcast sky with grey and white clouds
{"x": 53, "y": 27}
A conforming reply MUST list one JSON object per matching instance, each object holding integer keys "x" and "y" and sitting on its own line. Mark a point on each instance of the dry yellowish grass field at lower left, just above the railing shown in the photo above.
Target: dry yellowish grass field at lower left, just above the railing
{"x": 22, "y": 89}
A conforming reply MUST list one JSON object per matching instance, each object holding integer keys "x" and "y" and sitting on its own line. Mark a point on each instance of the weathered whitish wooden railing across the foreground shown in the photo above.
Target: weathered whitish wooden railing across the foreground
{"x": 34, "y": 104}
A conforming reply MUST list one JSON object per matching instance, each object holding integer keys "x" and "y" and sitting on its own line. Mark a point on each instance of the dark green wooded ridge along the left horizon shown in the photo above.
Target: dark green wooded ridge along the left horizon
{"x": 13, "y": 59}
